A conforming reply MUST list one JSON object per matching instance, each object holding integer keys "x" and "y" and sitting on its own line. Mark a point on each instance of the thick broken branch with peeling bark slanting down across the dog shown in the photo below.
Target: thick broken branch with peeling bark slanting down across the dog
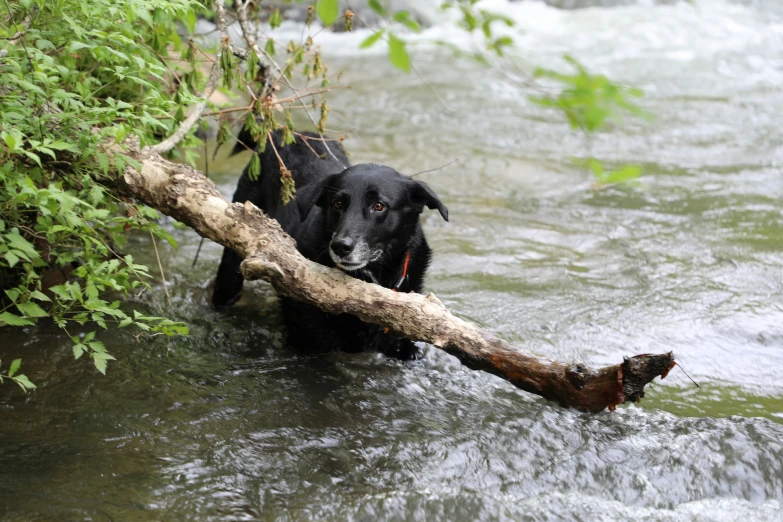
{"x": 270, "y": 254}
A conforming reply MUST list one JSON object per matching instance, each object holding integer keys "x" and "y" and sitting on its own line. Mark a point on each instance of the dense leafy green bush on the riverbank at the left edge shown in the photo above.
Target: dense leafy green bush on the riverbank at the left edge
{"x": 82, "y": 75}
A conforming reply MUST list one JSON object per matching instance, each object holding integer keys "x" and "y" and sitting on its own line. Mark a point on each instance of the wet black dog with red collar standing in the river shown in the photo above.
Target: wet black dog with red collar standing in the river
{"x": 362, "y": 219}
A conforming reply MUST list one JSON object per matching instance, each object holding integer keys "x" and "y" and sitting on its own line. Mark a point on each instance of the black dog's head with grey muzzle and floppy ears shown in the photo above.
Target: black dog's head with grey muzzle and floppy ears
{"x": 369, "y": 210}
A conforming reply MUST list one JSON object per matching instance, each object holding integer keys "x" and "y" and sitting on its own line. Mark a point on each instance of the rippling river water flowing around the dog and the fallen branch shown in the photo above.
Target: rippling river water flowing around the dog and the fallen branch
{"x": 228, "y": 424}
